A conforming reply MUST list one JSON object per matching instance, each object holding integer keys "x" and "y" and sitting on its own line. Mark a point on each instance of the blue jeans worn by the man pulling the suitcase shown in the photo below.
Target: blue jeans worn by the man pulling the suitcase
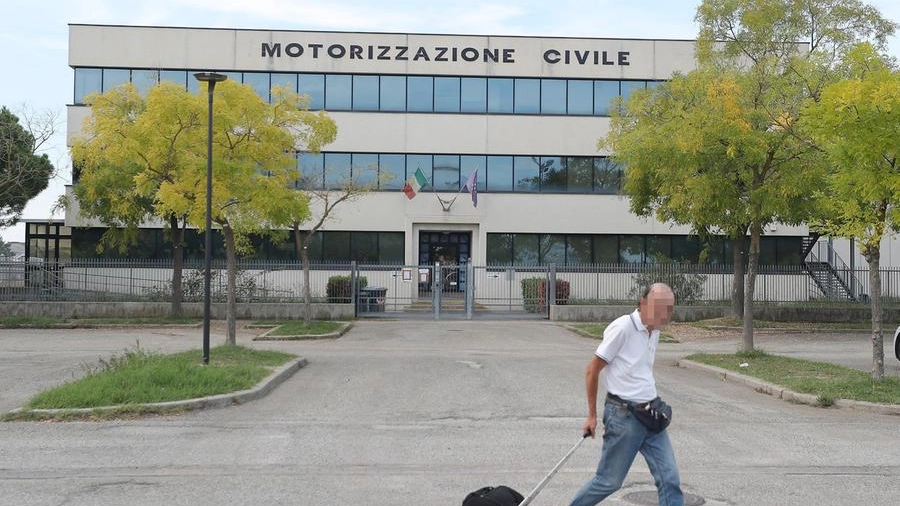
{"x": 624, "y": 436}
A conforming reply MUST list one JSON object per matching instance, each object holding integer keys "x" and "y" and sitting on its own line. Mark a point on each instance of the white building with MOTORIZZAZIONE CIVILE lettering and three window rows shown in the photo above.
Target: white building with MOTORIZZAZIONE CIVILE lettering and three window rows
{"x": 524, "y": 112}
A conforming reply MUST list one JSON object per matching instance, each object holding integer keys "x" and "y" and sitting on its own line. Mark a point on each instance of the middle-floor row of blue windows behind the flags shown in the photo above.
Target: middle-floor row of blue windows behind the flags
{"x": 448, "y": 173}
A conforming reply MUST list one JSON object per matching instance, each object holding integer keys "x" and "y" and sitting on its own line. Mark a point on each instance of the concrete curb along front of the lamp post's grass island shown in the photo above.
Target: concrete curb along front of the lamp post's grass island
{"x": 265, "y": 386}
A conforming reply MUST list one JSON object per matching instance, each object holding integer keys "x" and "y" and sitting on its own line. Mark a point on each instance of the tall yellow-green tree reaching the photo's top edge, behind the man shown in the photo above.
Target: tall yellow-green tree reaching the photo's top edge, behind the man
{"x": 735, "y": 133}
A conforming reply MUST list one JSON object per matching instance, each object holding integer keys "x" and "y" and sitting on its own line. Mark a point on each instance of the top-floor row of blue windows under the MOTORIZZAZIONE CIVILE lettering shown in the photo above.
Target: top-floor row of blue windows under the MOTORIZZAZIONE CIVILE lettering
{"x": 366, "y": 92}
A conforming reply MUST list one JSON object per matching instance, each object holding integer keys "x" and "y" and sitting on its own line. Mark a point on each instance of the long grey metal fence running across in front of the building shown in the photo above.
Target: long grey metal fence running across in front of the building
{"x": 494, "y": 287}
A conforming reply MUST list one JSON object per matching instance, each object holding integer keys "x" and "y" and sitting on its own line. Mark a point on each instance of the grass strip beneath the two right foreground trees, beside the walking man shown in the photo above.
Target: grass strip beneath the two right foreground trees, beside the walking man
{"x": 826, "y": 381}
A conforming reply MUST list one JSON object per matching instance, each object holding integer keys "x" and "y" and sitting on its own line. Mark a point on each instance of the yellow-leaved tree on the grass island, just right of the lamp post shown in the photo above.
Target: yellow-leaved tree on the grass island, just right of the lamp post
{"x": 254, "y": 171}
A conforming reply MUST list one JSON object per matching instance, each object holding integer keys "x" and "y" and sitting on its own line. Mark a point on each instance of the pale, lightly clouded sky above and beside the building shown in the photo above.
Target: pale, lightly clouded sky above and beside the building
{"x": 37, "y": 78}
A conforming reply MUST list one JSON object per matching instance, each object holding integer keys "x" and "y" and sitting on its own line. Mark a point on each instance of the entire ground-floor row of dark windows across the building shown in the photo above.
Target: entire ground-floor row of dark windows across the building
{"x": 502, "y": 248}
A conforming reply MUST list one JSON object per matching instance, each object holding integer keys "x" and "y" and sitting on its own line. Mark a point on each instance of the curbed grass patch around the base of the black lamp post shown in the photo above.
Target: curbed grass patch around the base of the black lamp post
{"x": 138, "y": 377}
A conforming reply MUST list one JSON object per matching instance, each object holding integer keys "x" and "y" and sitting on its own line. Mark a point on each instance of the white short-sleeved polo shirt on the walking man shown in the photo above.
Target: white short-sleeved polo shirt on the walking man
{"x": 629, "y": 350}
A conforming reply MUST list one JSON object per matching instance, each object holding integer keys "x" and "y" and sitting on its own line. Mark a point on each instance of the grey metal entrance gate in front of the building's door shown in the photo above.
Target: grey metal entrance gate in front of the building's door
{"x": 444, "y": 291}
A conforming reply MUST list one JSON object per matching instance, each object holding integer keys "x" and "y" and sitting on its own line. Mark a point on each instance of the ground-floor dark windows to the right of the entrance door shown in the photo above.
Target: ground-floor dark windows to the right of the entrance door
{"x": 579, "y": 249}
